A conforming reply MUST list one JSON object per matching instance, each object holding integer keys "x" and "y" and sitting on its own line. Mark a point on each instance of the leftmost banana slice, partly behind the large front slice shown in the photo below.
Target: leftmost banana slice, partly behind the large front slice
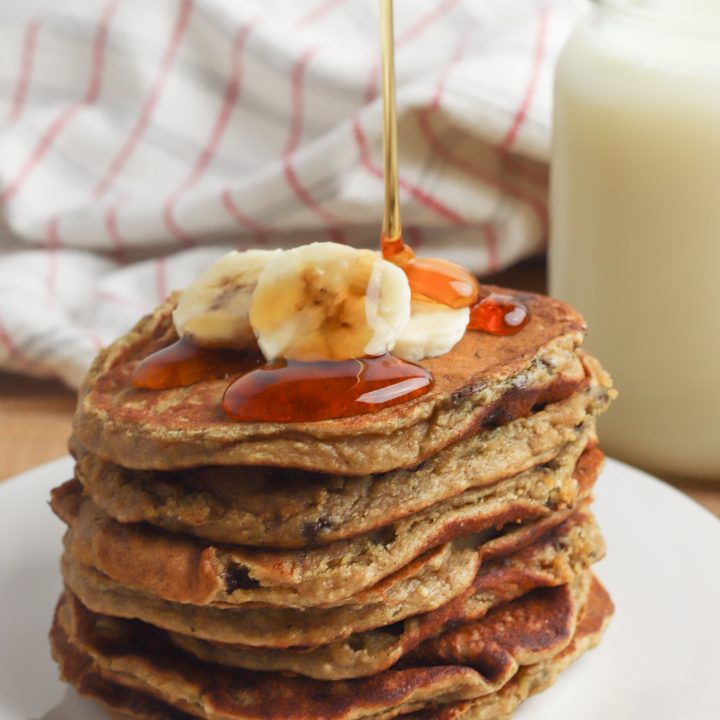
{"x": 213, "y": 310}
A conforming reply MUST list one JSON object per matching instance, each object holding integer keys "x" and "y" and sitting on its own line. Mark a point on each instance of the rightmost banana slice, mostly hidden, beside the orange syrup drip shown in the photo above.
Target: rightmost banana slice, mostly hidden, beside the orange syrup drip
{"x": 433, "y": 329}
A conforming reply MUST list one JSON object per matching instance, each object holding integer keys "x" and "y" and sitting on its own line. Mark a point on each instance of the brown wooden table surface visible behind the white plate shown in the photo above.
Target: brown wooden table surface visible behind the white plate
{"x": 35, "y": 415}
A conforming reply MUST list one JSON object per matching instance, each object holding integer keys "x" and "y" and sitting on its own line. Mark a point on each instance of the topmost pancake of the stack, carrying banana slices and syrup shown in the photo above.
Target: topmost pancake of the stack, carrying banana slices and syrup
{"x": 485, "y": 379}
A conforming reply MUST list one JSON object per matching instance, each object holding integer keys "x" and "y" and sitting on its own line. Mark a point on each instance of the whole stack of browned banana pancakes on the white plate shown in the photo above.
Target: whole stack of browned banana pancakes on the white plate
{"x": 429, "y": 560}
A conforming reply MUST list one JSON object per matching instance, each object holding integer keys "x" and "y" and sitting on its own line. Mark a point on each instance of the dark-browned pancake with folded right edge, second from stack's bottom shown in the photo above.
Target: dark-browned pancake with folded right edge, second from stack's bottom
{"x": 474, "y": 660}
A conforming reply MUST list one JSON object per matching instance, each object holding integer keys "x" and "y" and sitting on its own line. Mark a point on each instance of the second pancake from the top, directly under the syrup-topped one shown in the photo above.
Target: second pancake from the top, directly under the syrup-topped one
{"x": 283, "y": 508}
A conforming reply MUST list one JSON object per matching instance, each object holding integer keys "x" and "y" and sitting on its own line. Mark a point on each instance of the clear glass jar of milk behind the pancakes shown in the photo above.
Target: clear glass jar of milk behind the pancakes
{"x": 635, "y": 201}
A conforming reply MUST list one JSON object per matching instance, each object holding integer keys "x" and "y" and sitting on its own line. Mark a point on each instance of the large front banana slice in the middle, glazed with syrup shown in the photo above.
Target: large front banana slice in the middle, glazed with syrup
{"x": 327, "y": 301}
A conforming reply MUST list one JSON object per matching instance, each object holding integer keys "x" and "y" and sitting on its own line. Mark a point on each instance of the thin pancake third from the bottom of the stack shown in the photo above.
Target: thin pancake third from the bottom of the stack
{"x": 558, "y": 557}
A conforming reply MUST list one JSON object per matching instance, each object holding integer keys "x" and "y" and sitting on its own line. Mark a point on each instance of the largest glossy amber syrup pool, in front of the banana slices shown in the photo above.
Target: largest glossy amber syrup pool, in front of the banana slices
{"x": 294, "y": 391}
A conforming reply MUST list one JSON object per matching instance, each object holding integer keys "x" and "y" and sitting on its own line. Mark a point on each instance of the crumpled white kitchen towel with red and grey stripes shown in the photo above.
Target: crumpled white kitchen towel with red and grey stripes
{"x": 140, "y": 140}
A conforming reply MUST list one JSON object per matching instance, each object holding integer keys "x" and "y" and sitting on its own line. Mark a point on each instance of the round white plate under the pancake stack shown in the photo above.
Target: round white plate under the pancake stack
{"x": 659, "y": 658}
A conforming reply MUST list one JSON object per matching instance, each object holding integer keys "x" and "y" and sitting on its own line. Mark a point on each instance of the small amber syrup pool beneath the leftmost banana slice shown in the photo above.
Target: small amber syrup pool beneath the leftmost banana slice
{"x": 183, "y": 363}
